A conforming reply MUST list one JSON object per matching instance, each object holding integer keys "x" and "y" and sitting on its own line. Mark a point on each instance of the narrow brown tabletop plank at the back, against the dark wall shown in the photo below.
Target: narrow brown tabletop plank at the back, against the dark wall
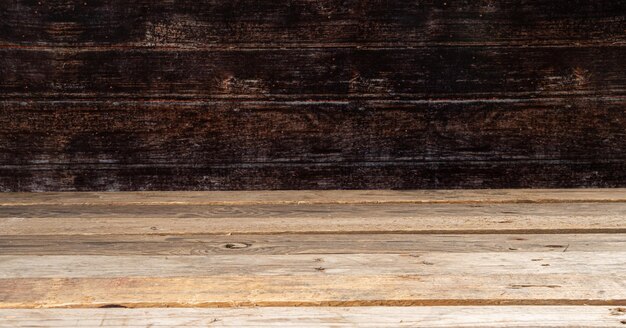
{"x": 311, "y": 197}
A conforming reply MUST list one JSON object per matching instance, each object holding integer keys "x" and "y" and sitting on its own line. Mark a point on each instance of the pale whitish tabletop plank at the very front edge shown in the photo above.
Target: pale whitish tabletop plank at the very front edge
{"x": 441, "y": 316}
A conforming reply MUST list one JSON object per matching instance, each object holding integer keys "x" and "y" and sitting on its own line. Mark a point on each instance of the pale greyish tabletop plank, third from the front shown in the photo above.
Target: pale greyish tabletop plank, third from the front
{"x": 315, "y": 265}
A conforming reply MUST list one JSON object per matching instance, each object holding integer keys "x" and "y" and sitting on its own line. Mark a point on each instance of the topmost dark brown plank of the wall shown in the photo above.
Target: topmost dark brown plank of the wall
{"x": 300, "y": 23}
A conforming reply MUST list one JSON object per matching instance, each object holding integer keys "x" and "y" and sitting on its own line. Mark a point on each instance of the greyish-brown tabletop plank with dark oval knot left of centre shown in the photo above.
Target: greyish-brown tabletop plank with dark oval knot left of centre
{"x": 121, "y": 245}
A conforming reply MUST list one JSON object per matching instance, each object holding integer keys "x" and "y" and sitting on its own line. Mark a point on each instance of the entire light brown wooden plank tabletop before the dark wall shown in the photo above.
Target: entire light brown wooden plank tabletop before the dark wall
{"x": 474, "y": 258}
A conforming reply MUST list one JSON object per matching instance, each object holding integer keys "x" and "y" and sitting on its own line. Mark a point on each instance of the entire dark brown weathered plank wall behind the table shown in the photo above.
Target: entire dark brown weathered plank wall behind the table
{"x": 293, "y": 94}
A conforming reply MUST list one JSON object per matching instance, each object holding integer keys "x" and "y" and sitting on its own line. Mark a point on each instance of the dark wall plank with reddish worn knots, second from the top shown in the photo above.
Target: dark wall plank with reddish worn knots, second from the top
{"x": 419, "y": 73}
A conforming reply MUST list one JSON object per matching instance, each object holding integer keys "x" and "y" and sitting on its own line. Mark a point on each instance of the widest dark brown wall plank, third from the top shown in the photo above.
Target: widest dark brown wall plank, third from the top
{"x": 51, "y": 133}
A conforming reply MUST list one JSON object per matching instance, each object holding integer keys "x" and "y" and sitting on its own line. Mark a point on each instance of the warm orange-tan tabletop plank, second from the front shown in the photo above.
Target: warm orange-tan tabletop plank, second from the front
{"x": 316, "y": 290}
